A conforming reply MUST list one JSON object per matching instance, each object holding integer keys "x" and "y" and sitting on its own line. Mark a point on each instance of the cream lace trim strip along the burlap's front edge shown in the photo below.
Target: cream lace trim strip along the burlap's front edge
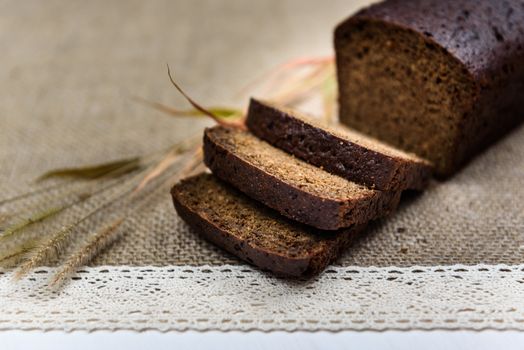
{"x": 241, "y": 298}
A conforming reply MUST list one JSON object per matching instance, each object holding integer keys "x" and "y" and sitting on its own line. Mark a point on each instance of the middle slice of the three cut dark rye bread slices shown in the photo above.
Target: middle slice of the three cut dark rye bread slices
{"x": 289, "y": 185}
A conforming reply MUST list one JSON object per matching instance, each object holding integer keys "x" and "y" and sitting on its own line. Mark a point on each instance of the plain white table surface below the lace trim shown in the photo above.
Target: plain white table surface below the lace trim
{"x": 463, "y": 340}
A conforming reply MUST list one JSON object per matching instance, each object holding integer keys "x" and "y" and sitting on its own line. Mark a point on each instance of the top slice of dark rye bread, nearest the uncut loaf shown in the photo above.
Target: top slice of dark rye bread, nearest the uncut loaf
{"x": 338, "y": 149}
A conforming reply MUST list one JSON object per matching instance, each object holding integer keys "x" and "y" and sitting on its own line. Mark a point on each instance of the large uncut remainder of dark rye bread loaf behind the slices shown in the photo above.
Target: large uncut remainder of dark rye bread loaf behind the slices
{"x": 440, "y": 78}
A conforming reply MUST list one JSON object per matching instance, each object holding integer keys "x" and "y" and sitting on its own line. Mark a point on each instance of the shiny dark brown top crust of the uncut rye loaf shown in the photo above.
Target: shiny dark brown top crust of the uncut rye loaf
{"x": 483, "y": 34}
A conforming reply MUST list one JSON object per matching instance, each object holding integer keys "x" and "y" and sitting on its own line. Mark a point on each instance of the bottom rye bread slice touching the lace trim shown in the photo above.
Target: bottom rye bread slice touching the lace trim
{"x": 253, "y": 232}
